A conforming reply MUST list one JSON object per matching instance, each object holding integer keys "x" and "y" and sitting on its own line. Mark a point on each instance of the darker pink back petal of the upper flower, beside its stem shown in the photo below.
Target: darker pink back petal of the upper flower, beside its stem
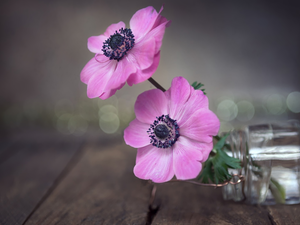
{"x": 142, "y": 75}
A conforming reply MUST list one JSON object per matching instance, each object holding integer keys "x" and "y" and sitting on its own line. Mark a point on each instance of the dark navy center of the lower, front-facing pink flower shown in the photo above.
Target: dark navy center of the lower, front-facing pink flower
{"x": 164, "y": 132}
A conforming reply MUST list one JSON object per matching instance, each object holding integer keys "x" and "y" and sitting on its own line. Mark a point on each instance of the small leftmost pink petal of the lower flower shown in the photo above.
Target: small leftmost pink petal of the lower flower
{"x": 136, "y": 135}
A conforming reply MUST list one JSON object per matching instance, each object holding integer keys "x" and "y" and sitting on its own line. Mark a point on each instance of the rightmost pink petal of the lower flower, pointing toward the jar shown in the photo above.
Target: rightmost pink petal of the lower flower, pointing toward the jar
{"x": 201, "y": 126}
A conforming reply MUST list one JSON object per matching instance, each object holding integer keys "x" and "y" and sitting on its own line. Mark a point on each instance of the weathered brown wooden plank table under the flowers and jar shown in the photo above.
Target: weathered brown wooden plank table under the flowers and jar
{"x": 50, "y": 178}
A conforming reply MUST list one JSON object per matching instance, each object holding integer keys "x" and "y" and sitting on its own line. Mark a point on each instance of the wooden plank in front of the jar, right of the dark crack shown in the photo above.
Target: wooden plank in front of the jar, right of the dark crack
{"x": 183, "y": 203}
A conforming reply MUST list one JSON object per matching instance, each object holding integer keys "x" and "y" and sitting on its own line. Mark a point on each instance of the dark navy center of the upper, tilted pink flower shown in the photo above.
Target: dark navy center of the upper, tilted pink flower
{"x": 118, "y": 44}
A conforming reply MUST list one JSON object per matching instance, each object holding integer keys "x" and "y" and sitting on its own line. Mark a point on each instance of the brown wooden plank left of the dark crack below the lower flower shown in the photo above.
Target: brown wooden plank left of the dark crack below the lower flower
{"x": 101, "y": 189}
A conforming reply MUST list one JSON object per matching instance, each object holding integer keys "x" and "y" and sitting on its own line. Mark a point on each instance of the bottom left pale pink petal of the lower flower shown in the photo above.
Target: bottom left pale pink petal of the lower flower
{"x": 154, "y": 163}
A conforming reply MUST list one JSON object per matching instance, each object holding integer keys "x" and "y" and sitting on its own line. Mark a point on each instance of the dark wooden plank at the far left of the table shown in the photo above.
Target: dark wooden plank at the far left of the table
{"x": 27, "y": 175}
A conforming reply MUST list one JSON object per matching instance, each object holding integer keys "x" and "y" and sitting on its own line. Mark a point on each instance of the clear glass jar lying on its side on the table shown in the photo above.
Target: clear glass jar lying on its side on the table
{"x": 270, "y": 157}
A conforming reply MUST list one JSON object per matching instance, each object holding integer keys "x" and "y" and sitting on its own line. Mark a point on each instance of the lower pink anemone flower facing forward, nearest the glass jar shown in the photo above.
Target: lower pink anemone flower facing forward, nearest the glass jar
{"x": 172, "y": 132}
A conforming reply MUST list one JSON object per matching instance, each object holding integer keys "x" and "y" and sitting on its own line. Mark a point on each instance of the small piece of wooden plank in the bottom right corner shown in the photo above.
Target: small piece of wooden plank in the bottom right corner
{"x": 285, "y": 214}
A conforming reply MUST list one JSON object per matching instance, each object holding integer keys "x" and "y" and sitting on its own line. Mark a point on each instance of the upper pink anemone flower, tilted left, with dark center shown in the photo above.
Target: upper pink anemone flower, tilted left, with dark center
{"x": 124, "y": 54}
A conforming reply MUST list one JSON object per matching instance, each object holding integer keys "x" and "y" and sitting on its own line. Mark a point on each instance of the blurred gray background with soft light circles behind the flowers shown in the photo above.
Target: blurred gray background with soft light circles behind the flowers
{"x": 245, "y": 52}
